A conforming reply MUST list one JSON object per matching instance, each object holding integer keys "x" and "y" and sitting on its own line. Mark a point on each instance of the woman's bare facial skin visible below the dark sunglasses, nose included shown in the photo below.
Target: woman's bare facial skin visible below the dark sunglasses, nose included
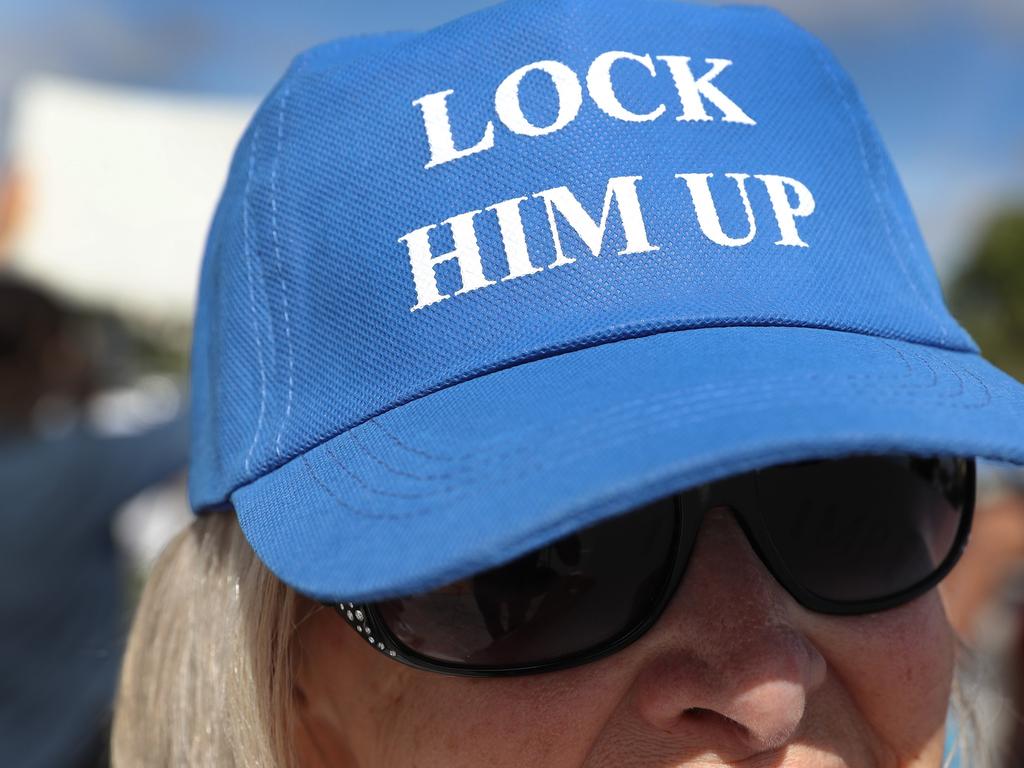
{"x": 735, "y": 673}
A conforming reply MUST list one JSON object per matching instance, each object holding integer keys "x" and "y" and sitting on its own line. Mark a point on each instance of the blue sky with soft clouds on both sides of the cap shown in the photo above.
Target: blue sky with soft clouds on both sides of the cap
{"x": 945, "y": 79}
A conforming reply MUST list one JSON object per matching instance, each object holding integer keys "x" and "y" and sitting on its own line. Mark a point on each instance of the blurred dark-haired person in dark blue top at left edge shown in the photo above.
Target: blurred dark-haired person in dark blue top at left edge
{"x": 62, "y": 480}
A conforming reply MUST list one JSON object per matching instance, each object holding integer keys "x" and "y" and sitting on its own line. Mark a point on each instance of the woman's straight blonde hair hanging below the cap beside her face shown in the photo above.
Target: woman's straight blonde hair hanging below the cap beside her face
{"x": 215, "y": 633}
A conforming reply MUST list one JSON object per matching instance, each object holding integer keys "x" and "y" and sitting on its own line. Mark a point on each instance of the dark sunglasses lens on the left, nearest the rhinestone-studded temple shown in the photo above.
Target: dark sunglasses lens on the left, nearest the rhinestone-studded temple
{"x": 583, "y": 592}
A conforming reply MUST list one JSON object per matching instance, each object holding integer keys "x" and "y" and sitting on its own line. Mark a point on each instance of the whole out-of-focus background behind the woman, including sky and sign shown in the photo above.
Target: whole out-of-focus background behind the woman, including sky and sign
{"x": 117, "y": 122}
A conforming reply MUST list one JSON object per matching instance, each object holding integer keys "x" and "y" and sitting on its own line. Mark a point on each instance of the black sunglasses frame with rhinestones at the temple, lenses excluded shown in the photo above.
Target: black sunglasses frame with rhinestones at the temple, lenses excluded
{"x": 739, "y": 493}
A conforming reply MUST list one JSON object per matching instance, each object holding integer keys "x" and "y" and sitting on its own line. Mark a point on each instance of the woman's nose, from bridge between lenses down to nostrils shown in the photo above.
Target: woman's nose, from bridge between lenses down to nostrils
{"x": 729, "y": 669}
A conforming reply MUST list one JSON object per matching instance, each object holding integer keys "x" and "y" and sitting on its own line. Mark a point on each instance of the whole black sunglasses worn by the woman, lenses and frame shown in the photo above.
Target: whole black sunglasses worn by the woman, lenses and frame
{"x": 844, "y": 537}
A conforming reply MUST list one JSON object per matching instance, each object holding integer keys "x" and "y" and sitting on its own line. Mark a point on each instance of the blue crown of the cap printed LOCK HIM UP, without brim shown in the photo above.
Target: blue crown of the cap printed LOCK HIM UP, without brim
{"x": 537, "y": 179}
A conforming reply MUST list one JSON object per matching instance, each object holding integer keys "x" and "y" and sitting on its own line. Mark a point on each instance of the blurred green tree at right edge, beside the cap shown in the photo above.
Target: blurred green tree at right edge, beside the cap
{"x": 988, "y": 296}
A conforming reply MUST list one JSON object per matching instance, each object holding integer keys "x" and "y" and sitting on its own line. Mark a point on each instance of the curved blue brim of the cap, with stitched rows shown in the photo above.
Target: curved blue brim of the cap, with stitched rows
{"x": 476, "y": 475}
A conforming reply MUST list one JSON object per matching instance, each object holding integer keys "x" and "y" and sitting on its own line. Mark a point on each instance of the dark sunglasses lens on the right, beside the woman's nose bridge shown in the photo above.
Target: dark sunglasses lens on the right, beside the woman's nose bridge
{"x": 868, "y": 528}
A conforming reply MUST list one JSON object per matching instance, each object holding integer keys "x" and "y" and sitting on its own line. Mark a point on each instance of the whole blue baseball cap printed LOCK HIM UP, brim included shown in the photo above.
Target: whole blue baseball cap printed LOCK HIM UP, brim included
{"x": 473, "y": 289}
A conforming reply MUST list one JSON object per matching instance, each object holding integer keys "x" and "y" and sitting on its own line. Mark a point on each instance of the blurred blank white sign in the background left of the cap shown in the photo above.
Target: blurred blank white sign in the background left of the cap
{"x": 118, "y": 189}
